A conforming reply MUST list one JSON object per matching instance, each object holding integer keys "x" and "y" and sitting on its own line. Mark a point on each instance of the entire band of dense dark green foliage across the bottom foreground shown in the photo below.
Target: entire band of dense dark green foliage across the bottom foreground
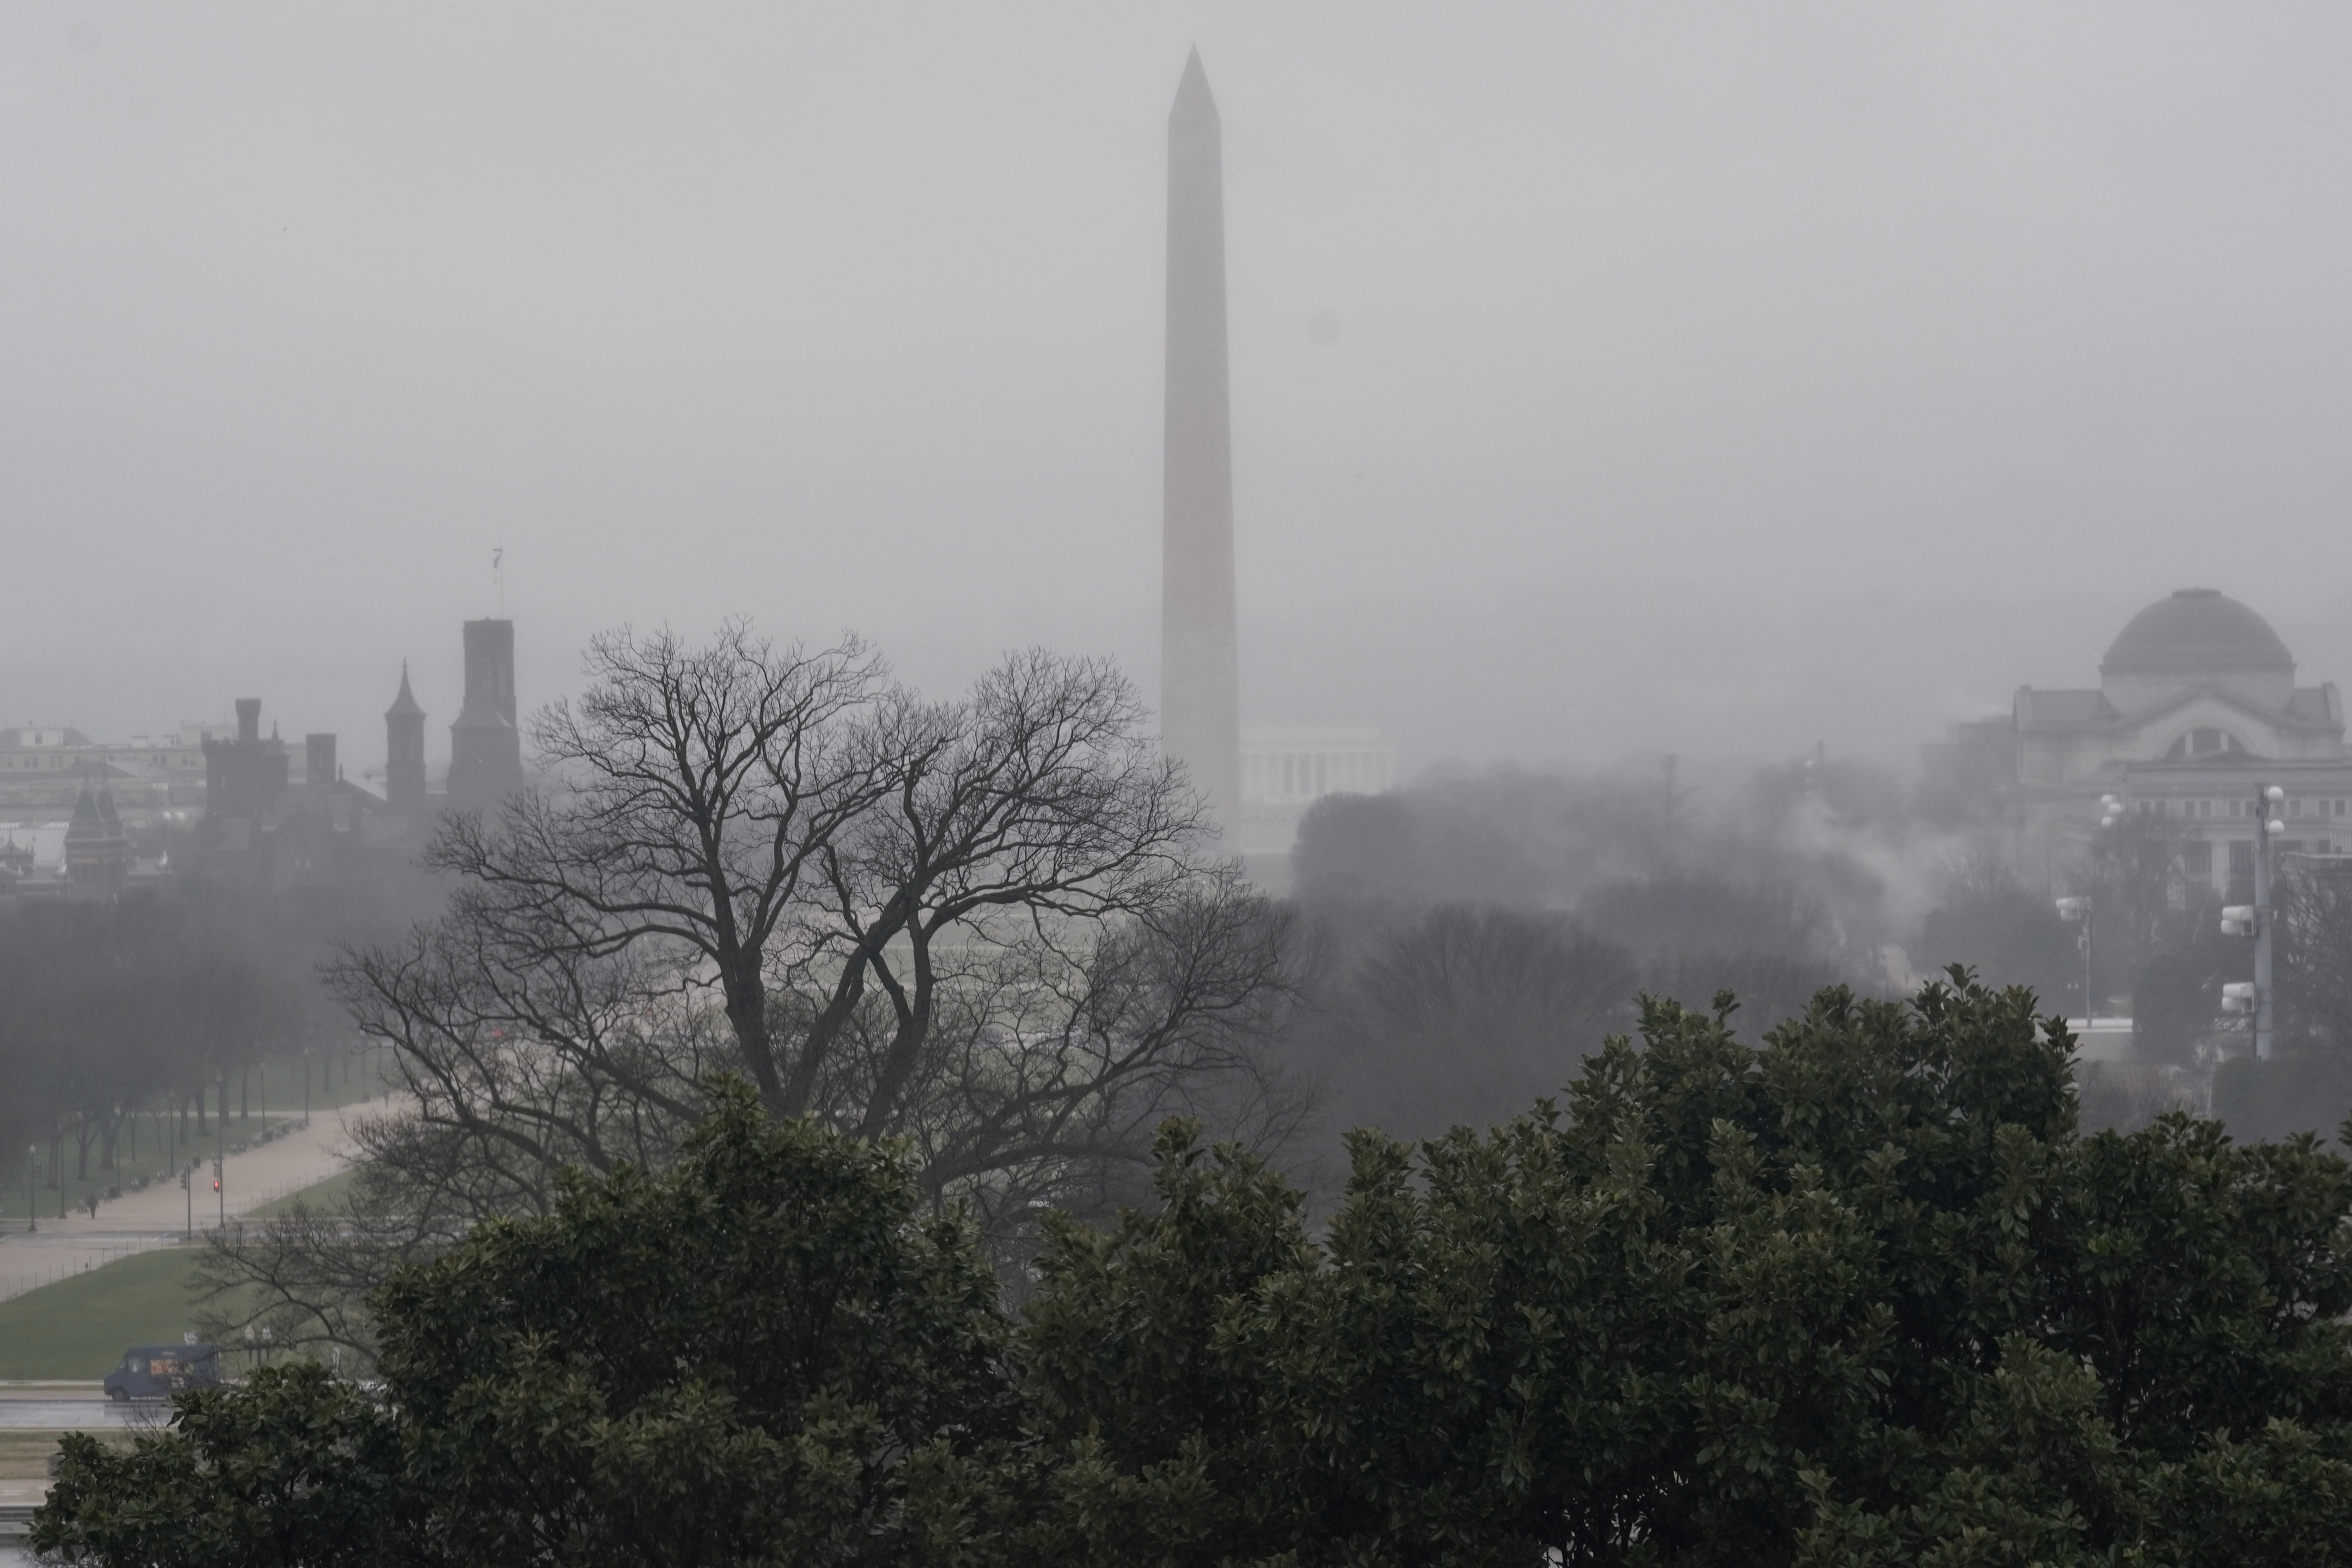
{"x": 1855, "y": 1296}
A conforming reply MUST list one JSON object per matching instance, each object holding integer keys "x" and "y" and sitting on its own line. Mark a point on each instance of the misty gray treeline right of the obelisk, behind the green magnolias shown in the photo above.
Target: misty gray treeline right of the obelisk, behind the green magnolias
{"x": 1471, "y": 939}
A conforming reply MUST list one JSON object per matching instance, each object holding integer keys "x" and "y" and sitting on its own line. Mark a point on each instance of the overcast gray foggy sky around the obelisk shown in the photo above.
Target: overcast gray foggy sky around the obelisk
{"x": 1711, "y": 377}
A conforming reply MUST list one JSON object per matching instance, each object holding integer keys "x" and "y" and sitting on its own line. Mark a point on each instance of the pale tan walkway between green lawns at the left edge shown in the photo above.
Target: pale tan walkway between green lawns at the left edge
{"x": 159, "y": 1217}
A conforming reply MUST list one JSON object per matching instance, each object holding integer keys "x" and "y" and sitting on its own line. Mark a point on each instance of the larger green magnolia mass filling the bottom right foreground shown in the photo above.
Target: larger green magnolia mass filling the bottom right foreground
{"x": 1857, "y": 1296}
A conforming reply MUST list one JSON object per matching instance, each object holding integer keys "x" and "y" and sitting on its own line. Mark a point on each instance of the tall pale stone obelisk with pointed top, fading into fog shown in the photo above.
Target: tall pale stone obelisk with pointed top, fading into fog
{"x": 1201, "y": 699}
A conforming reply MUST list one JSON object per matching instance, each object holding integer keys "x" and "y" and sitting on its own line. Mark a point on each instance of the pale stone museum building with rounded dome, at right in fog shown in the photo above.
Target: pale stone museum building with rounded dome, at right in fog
{"x": 2196, "y": 711}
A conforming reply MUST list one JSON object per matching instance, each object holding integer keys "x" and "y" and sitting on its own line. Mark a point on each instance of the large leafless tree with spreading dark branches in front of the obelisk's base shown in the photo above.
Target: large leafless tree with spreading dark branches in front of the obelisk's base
{"x": 994, "y": 927}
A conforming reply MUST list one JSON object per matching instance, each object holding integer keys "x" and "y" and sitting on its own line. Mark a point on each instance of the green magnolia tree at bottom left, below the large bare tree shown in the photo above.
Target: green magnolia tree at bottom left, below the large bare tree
{"x": 759, "y": 1355}
